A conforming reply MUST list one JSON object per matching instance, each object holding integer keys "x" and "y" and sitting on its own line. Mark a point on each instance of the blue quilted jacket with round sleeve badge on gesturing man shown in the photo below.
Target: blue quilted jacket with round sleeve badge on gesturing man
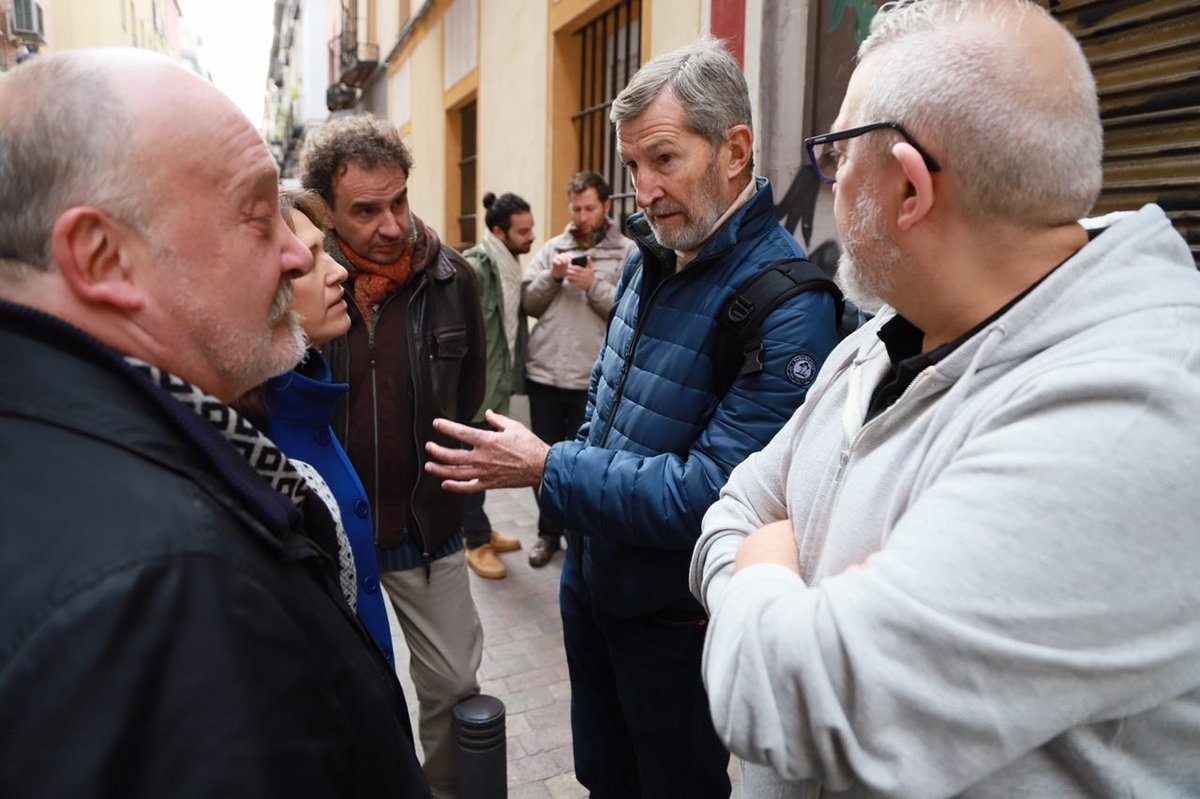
{"x": 661, "y": 440}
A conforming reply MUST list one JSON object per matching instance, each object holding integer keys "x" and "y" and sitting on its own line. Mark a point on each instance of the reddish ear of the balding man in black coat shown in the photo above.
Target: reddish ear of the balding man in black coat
{"x": 93, "y": 254}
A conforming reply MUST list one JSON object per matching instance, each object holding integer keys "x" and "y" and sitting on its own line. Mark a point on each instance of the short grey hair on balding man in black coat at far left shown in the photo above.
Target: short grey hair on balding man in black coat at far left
{"x": 65, "y": 141}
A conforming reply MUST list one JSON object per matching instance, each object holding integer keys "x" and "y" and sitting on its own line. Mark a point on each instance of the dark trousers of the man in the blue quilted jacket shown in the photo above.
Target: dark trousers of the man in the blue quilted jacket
{"x": 640, "y": 718}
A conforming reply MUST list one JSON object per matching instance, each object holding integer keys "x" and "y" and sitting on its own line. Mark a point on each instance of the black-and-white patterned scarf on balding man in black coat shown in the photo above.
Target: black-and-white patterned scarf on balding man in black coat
{"x": 293, "y": 479}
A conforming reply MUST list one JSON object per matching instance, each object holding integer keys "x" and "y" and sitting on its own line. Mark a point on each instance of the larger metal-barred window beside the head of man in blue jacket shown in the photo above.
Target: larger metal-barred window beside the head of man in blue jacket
{"x": 613, "y": 52}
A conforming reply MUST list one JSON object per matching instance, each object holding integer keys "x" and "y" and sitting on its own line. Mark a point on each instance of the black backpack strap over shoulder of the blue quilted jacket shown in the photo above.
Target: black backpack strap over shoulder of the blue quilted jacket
{"x": 778, "y": 284}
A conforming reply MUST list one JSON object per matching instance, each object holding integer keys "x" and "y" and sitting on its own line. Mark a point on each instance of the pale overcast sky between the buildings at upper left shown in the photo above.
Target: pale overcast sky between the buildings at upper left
{"x": 236, "y": 47}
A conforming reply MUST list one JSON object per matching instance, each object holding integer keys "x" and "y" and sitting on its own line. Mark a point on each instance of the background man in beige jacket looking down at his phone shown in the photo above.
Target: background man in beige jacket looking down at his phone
{"x": 569, "y": 289}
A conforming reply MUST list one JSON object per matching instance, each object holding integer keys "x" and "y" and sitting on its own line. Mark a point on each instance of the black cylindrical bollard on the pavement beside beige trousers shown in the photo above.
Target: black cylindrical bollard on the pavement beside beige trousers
{"x": 482, "y": 749}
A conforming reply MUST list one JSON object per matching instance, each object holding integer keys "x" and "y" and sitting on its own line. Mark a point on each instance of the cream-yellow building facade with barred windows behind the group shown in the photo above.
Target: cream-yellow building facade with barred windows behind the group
{"x": 500, "y": 95}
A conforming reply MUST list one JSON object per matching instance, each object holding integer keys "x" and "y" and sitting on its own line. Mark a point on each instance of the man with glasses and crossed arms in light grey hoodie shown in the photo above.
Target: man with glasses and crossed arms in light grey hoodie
{"x": 968, "y": 566}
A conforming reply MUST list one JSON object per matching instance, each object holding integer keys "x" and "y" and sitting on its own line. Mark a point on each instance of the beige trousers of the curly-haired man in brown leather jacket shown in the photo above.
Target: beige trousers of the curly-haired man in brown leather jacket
{"x": 446, "y": 641}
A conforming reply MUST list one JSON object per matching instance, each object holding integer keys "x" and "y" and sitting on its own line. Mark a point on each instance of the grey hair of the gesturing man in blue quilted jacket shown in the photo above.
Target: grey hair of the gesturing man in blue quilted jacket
{"x": 704, "y": 79}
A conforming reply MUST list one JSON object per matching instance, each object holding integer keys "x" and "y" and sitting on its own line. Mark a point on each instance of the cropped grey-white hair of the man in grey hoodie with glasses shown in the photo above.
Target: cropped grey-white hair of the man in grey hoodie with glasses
{"x": 1019, "y": 147}
